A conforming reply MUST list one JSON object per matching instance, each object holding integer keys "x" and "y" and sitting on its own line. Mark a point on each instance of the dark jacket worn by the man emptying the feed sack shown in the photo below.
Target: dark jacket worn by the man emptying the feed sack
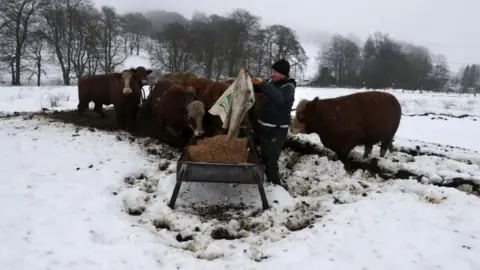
{"x": 277, "y": 101}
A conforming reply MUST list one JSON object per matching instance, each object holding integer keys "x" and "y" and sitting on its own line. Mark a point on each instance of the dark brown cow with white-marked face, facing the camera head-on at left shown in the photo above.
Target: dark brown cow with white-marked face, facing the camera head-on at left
{"x": 125, "y": 95}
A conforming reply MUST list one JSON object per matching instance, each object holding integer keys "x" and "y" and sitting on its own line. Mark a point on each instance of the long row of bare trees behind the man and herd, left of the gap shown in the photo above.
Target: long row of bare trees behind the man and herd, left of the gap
{"x": 84, "y": 40}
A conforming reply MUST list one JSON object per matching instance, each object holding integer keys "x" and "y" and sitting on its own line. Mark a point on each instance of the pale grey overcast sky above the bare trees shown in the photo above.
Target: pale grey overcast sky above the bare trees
{"x": 444, "y": 26}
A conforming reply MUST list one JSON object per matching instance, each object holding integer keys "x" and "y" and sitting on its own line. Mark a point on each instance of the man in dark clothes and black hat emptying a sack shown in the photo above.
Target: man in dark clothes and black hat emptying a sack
{"x": 275, "y": 116}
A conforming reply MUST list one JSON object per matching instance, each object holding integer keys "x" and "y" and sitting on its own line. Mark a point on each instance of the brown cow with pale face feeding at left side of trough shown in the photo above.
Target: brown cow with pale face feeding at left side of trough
{"x": 172, "y": 114}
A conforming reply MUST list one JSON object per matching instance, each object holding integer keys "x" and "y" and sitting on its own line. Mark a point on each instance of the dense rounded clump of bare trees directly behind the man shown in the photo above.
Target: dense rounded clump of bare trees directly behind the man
{"x": 218, "y": 46}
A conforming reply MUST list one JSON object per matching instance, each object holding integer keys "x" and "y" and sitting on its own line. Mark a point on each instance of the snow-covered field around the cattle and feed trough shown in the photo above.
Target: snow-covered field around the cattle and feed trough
{"x": 66, "y": 194}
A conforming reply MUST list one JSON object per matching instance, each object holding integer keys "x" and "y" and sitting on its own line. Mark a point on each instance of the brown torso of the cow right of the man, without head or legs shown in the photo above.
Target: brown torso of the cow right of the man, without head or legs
{"x": 360, "y": 118}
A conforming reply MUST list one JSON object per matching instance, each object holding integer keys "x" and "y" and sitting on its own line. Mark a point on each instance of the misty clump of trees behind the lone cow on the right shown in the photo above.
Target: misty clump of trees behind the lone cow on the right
{"x": 382, "y": 62}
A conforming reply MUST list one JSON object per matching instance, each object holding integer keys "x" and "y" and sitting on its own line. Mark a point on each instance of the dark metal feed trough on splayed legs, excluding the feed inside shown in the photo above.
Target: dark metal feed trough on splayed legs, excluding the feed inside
{"x": 227, "y": 173}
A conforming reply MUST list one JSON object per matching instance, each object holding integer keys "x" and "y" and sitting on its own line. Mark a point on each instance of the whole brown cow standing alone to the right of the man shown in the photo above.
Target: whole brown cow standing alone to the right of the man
{"x": 344, "y": 122}
